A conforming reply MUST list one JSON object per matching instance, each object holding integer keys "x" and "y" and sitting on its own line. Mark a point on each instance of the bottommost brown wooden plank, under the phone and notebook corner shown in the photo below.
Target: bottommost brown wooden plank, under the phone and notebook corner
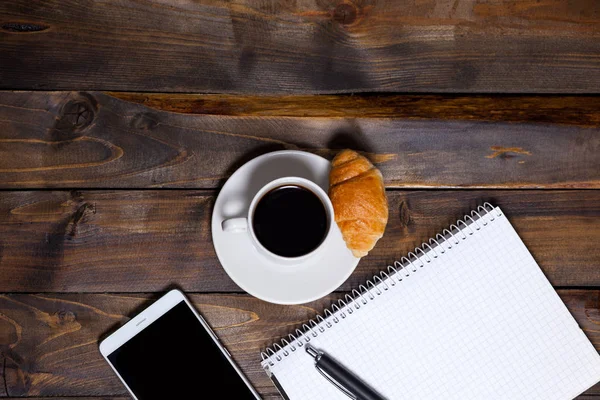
{"x": 55, "y": 353}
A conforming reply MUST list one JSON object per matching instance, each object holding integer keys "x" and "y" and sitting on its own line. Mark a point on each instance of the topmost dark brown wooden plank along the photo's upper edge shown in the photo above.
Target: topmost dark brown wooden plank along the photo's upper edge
{"x": 302, "y": 47}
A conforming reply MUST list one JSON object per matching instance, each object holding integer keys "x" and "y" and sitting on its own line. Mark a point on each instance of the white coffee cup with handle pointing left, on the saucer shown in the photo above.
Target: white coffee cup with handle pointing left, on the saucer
{"x": 243, "y": 225}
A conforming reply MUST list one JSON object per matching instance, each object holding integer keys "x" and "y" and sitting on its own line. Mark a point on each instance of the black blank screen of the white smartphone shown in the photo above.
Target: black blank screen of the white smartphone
{"x": 175, "y": 357}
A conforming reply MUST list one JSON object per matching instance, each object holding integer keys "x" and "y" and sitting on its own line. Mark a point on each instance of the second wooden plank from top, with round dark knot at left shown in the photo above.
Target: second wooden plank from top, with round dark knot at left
{"x": 94, "y": 140}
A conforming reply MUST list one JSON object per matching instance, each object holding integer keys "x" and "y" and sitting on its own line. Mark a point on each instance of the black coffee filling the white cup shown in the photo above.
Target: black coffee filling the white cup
{"x": 290, "y": 221}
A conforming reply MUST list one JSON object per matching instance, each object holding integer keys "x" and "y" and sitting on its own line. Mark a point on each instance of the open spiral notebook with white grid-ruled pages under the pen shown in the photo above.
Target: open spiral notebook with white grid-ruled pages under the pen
{"x": 468, "y": 315}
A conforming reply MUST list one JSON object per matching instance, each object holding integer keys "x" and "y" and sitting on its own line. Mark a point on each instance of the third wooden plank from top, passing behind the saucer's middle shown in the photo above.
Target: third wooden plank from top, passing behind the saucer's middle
{"x": 136, "y": 241}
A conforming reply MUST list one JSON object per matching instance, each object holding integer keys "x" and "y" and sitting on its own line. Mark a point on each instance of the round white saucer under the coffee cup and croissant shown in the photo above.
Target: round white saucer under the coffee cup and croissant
{"x": 254, "y": 273}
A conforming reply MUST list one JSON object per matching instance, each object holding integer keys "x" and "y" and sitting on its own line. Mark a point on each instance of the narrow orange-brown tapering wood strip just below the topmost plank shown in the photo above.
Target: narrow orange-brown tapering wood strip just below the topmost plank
{"x": 546, "y": 109}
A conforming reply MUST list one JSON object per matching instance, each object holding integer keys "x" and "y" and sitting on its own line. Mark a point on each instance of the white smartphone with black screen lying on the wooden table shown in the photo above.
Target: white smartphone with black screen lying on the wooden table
{"x": 169, "y": 351}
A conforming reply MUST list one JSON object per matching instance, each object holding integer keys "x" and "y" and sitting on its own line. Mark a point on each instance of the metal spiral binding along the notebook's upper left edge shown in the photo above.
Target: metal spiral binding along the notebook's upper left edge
{"x": 383, "y": 281}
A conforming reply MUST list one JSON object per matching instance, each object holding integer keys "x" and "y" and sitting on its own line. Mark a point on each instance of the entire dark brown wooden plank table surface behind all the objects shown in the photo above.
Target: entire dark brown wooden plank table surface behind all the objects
{"x": 120, "y": 120}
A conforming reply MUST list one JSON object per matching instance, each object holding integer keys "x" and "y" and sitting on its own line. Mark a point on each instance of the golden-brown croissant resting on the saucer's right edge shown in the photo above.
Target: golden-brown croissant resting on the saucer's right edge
{"x": 357, "y": 193}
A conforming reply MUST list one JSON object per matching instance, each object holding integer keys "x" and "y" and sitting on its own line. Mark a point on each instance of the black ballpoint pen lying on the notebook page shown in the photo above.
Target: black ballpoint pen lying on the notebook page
{"x": 341, "y": 377}
